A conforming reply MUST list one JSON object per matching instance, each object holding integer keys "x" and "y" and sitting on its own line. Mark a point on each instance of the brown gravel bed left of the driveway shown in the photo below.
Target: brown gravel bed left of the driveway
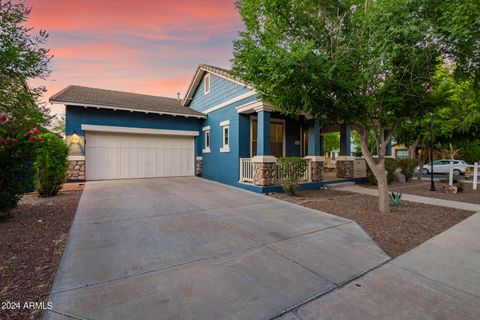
{"x": 31, "y": 246}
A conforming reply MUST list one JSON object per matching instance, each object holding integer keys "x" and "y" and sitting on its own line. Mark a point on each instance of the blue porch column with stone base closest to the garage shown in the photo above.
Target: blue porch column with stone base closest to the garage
{"x": 264, "y": 164}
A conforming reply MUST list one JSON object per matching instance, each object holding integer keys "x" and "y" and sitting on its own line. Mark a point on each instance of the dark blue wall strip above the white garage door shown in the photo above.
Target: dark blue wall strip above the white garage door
{"x": 76, "y": 116}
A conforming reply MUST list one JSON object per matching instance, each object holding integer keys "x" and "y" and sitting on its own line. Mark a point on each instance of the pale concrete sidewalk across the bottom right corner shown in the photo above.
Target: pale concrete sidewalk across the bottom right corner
{"x": 439, "y": 279}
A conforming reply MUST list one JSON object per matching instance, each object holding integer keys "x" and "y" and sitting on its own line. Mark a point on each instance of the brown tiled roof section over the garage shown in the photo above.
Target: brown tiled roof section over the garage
{"x": 110, "y": 99}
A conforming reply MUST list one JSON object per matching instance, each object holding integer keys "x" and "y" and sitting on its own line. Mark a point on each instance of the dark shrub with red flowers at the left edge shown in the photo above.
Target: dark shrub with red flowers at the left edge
{"x": 17, "y": 151}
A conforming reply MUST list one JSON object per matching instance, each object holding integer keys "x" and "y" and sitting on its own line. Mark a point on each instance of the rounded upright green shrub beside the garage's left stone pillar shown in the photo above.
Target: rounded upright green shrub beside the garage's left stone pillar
{"x": 51, "y": 165}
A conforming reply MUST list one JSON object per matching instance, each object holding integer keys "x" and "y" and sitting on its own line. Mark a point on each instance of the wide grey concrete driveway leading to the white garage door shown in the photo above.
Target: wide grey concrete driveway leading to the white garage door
{"x": 188, "y": 248}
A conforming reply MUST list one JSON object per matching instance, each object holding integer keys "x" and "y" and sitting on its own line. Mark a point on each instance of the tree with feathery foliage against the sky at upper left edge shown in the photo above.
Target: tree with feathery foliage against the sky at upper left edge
{"x": 22, "y": 57}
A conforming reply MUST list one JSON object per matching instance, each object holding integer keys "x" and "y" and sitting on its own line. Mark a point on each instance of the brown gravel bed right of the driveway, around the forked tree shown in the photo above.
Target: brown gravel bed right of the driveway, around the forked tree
{"x": 404, "y": 228}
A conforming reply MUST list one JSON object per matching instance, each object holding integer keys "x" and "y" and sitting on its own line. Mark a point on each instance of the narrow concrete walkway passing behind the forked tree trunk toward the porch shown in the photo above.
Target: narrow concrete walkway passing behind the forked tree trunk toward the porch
{"x": 418, "y": 199}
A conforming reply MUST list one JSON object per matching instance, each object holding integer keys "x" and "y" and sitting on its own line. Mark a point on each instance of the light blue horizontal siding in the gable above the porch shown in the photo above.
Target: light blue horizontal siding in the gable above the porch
{"x": 221, "y": 90}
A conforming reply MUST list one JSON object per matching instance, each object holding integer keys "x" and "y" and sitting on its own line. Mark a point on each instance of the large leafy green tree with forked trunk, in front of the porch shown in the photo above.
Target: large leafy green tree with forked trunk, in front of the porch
{"x": 362, "y": 63}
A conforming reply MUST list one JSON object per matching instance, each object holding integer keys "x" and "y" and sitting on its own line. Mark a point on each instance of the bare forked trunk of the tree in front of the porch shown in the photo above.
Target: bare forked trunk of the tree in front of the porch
{"x": 378, "y": 169}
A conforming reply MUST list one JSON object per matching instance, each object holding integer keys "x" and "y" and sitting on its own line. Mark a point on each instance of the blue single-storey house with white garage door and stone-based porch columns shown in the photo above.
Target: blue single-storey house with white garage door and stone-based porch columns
{"x": 220, "y": 130}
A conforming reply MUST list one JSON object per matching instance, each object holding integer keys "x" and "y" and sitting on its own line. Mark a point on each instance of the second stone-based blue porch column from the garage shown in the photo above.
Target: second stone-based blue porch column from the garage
{"x": 315, "y": 152}
